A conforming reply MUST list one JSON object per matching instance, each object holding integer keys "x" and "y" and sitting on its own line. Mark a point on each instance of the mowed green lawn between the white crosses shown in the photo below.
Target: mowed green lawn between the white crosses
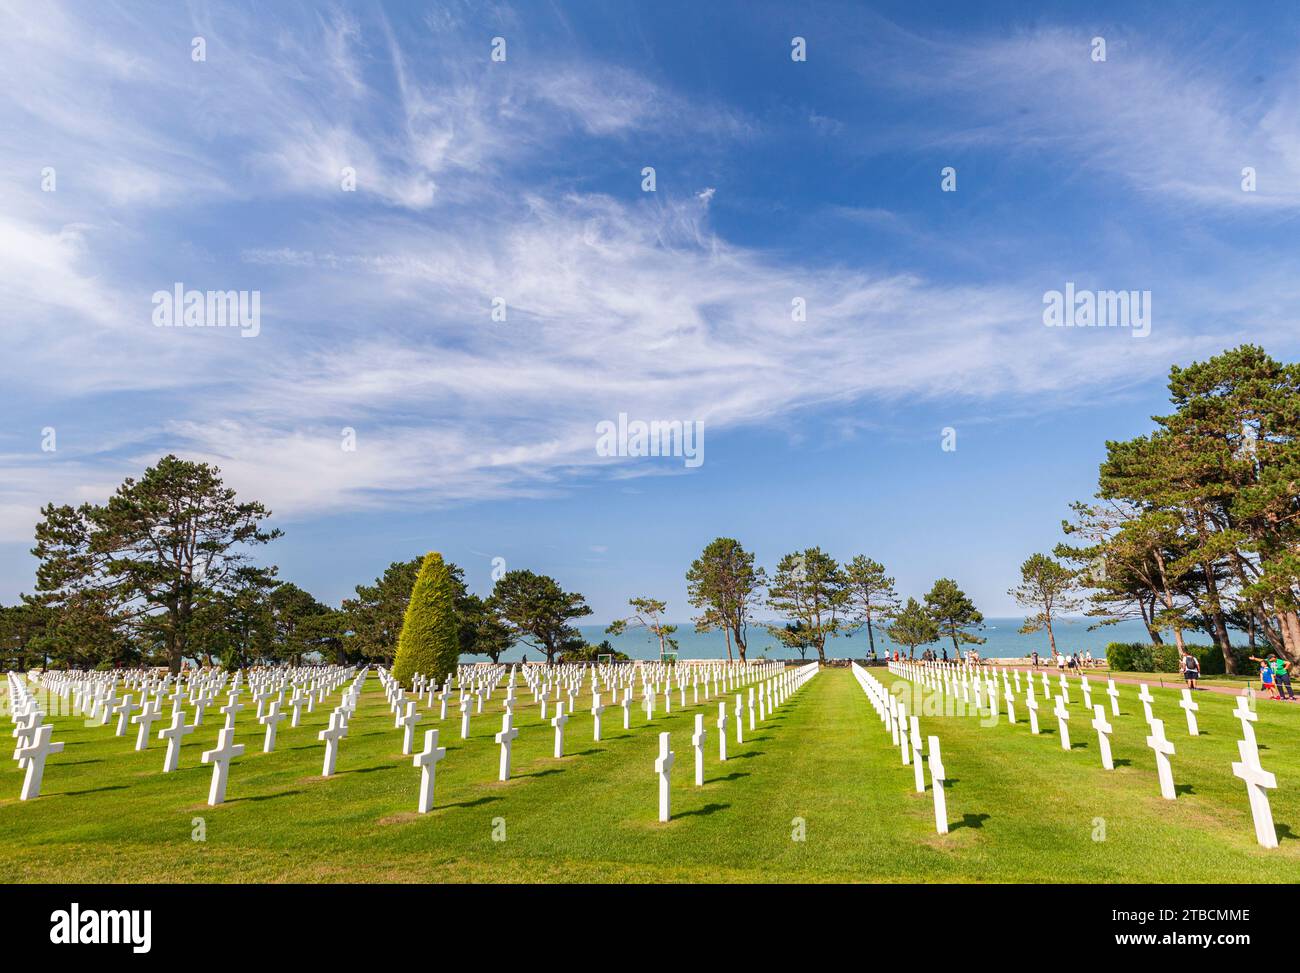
{"x": 1021, "y": 808}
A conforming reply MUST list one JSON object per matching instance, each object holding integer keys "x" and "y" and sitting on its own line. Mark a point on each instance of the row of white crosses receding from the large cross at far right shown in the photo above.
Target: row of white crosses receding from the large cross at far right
{"x": 1258, "y": 781}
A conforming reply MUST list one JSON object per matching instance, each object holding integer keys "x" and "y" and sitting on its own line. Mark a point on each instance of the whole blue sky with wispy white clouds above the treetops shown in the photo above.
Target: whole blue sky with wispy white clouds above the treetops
{"x": 522, "y": 180}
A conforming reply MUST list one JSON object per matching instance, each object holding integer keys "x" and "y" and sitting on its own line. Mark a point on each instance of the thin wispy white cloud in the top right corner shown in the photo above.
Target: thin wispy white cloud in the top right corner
{"x": 1169, "y": 120}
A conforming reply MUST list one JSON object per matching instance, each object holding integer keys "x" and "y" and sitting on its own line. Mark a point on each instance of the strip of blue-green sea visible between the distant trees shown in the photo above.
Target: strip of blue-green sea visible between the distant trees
{"x": 1004, "y": 642}
